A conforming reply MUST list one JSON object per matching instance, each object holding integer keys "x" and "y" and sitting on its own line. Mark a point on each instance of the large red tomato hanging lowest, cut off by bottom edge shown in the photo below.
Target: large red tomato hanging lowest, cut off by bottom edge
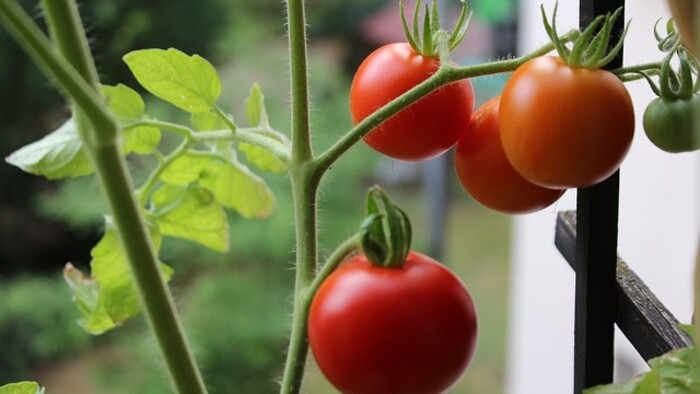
{"x": 403, "y": 330}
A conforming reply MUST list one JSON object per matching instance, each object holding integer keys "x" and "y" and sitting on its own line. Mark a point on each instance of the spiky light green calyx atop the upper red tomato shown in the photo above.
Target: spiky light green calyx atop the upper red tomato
{"x": 429, "y": 40}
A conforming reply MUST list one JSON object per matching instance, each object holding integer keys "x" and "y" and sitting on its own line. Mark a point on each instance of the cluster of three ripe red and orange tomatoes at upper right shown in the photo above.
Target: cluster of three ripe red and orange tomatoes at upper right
{"x": 554, "y": 127}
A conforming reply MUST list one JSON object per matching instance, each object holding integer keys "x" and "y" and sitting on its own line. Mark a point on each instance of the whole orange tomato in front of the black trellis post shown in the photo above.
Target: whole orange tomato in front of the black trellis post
{"x": 565, "y": 127}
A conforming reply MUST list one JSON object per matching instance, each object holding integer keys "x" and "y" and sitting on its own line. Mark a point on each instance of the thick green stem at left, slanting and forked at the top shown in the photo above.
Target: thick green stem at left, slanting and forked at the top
{"x": 101, "y": 142}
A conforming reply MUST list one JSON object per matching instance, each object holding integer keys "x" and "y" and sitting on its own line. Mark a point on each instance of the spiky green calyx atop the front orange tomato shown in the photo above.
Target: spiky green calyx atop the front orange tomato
{"x": 590, "y": 48}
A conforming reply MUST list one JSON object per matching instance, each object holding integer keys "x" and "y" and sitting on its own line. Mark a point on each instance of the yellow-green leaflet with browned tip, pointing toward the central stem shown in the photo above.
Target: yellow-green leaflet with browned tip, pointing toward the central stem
{"x": 235, "y": 187}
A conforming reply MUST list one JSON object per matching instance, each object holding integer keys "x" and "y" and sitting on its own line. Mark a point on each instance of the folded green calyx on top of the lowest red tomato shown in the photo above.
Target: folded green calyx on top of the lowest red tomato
{"x": 385, "y": 234}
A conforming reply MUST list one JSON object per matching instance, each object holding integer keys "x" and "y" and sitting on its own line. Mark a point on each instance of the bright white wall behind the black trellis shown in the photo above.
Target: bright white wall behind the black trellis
{"x": 659, "y": 230}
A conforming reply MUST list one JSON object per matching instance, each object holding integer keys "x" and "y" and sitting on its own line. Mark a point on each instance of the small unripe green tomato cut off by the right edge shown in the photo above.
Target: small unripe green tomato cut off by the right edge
{"x": 669, "y": 124}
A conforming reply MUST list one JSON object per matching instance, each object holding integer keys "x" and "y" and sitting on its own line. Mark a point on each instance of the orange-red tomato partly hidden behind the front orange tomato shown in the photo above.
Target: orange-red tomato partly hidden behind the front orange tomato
{"x": 486, "y": 173}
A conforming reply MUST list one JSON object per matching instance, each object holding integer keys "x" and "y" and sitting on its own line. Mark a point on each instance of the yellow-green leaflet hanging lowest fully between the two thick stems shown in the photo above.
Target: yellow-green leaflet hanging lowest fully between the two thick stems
{"x": 191, "y": 213}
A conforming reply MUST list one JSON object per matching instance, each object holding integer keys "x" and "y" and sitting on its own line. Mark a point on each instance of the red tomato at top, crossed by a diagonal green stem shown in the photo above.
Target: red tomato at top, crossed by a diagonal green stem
{"x": 426, "y": 128}
